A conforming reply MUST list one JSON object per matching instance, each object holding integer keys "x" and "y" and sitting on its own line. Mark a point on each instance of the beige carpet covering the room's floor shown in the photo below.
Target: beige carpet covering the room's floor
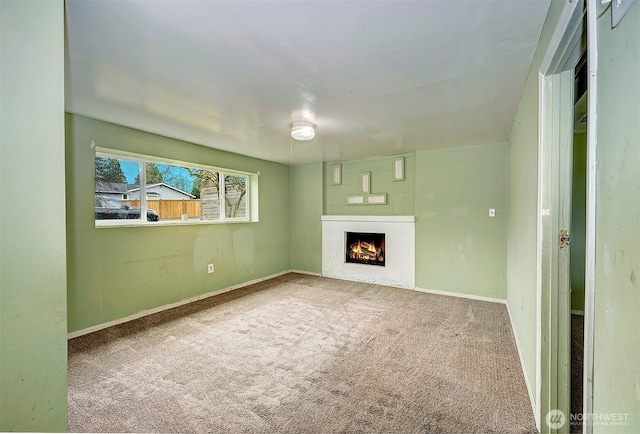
{"x": 304, "y": 354}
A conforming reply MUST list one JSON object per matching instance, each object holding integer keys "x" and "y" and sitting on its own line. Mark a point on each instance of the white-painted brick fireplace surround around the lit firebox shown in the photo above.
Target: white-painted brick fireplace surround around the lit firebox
{"x": 399, "y": 269}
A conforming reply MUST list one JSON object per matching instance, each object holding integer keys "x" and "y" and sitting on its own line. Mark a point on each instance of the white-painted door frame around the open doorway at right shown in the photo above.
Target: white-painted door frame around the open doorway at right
{"x": 563, "y": 53}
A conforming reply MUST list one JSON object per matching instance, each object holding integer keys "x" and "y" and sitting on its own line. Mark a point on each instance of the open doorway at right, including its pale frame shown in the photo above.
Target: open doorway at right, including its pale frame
{"x": 565, "y": 175}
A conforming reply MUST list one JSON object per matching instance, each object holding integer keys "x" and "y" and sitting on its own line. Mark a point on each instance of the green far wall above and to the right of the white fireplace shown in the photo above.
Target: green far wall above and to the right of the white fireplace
{"x": 459, "y": 248}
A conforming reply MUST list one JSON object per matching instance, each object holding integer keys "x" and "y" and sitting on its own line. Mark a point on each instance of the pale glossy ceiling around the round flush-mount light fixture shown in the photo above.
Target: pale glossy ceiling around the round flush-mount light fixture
{"x": 376, "y": 77}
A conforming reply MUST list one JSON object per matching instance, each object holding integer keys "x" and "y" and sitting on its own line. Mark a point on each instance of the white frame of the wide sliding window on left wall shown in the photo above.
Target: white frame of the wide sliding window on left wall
{"x": 251, "y": 184}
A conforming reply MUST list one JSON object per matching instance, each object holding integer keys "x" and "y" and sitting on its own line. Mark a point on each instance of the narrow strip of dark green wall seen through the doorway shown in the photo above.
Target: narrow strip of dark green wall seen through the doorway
{"x": 578, "y": 220}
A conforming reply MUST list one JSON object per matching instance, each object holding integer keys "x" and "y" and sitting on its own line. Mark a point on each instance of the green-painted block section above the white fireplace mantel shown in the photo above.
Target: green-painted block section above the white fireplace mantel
{"x": 400, "y": 194}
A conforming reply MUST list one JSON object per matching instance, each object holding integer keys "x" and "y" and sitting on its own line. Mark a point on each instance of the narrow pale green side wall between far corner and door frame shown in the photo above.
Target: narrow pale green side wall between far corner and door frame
{"x": 523, "y": 207}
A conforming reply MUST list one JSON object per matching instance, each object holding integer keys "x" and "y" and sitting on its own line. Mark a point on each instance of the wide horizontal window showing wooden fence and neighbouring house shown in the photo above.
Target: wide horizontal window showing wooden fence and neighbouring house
{"x": 130, "y": 186}
